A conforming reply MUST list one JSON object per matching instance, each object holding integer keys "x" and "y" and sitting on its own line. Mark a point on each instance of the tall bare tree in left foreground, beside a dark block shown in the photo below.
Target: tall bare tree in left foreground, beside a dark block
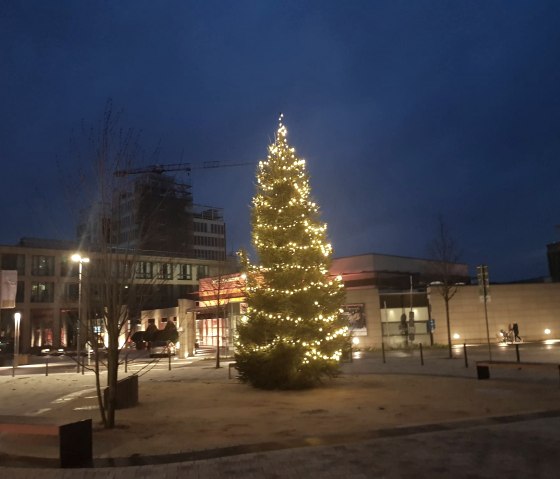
{"x": 117, "y": 281}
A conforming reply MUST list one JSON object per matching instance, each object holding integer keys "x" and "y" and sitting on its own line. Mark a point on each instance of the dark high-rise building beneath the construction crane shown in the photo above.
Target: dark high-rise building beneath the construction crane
{"x": 152, "y": 211}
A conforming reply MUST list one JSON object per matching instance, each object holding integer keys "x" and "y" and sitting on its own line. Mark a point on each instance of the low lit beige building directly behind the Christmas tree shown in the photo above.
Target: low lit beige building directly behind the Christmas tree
{"x": 381, "y": 293}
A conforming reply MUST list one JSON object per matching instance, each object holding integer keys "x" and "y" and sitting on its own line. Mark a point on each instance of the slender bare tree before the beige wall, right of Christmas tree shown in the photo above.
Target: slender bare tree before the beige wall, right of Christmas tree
{"x": 445, "y": 253}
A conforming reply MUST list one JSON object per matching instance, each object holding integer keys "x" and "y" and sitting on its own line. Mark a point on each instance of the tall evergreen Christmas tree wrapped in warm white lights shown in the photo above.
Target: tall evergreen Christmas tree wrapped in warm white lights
{"x": 293, "y": 333}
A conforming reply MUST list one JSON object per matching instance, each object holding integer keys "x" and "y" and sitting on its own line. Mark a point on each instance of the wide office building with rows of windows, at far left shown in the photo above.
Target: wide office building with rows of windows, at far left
{"x": 48, "y": 287}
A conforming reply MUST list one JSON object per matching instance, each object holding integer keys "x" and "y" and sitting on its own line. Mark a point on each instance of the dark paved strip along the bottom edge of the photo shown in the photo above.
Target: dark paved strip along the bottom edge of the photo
{"x": 527, "y": 448}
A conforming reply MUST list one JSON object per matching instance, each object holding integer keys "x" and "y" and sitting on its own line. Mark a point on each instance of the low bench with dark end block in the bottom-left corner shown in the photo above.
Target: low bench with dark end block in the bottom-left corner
{"x": 75, "y": 438}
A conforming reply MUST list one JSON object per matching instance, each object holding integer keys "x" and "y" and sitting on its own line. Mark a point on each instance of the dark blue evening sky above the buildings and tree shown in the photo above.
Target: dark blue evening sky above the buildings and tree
{"x": 404, "y": 110}
